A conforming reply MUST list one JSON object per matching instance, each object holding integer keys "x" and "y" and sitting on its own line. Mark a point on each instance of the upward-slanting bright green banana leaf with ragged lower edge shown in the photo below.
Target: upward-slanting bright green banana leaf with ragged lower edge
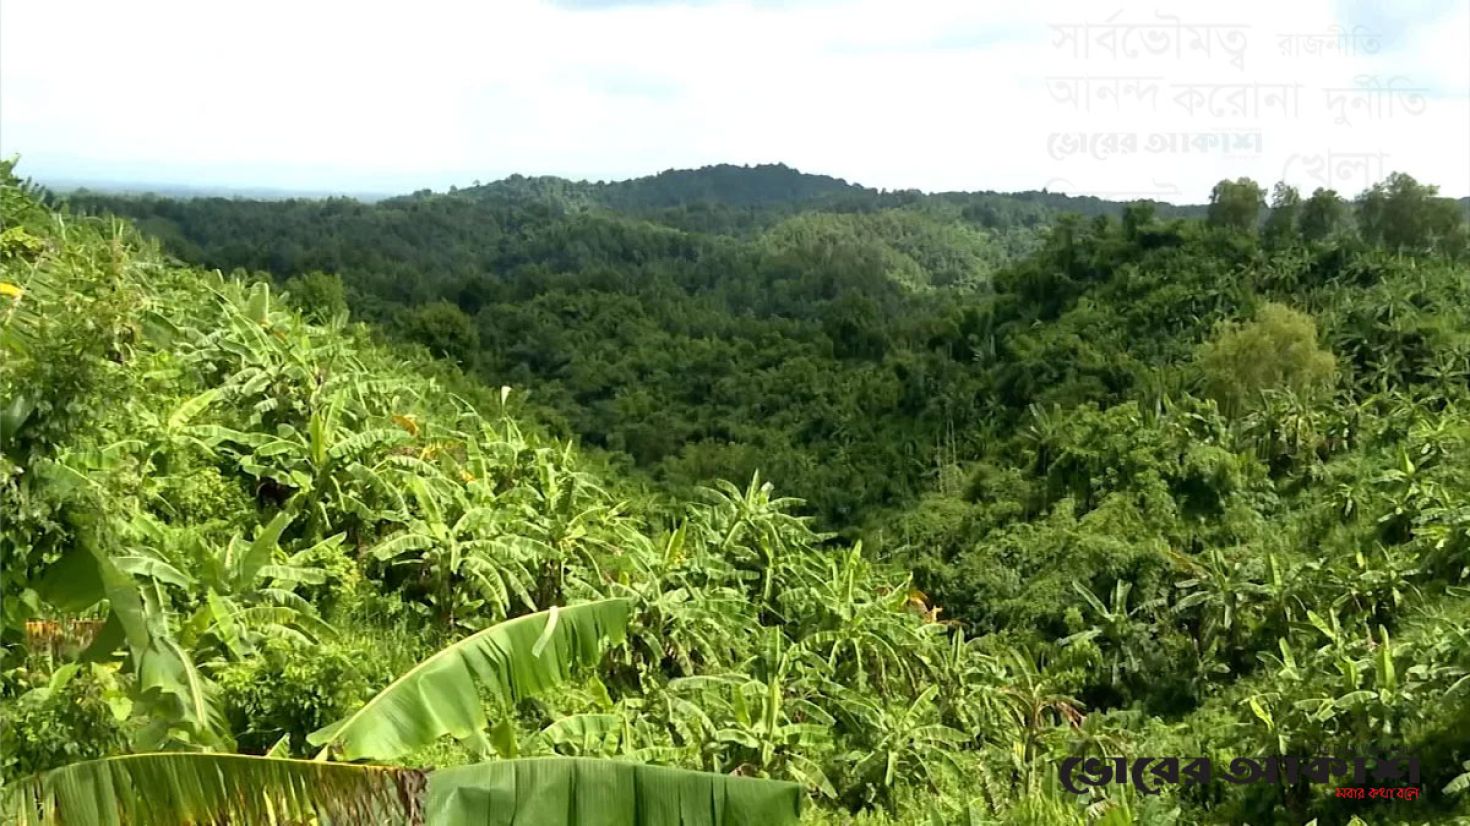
{"x": 512, "y": 661}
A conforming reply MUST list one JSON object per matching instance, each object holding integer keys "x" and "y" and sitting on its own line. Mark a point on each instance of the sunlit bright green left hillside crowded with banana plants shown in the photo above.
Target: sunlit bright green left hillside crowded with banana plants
{"x": 226, "y": 527}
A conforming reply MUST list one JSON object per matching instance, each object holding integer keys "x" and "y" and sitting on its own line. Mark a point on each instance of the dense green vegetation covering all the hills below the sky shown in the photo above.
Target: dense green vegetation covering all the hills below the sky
{"x": 902, "y": 499}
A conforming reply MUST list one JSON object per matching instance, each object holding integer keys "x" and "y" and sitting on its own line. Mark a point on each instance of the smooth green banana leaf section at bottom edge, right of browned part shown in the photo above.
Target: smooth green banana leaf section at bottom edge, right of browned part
{"x": 583, "y": 791}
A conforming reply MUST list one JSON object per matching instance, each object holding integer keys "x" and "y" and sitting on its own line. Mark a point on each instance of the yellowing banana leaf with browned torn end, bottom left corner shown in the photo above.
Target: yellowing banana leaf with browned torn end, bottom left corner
{"x": 173, "y": 789}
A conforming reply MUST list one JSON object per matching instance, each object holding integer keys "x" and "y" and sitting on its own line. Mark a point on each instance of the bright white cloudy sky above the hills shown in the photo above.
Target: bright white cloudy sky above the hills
{"x": 1112, "y": 99}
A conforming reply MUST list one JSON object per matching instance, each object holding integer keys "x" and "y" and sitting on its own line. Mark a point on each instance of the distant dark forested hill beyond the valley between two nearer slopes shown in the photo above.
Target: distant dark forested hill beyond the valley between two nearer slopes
{"x": 702, "y": 323}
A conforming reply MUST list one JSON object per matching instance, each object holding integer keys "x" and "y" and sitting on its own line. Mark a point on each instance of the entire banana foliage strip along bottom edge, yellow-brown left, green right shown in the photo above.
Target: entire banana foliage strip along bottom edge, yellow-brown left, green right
{"x": 171, "y": 789}
